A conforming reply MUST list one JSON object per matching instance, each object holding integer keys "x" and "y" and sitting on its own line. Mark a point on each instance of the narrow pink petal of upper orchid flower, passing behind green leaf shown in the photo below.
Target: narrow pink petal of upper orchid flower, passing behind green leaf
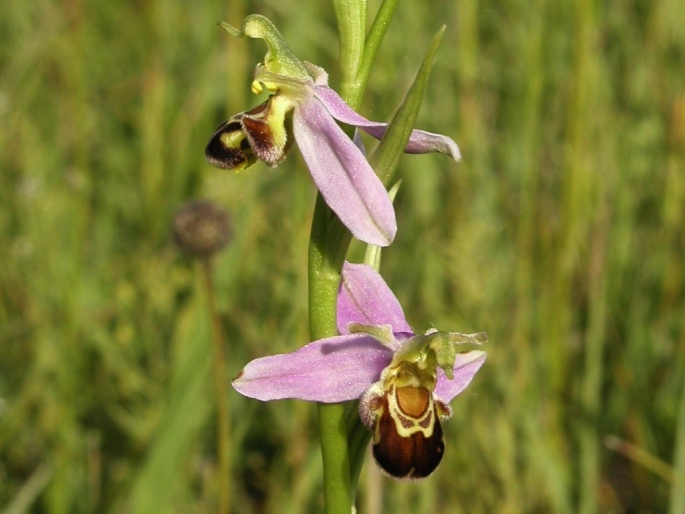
{"x": 420, "y": 141}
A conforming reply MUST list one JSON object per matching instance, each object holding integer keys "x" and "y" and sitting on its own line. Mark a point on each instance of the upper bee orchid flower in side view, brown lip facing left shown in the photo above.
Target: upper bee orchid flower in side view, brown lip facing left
{"x": 302, "y": 103}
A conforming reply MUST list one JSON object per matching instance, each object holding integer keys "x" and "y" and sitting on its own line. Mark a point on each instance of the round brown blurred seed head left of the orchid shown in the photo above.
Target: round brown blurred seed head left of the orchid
{"x": 201, "y": 228}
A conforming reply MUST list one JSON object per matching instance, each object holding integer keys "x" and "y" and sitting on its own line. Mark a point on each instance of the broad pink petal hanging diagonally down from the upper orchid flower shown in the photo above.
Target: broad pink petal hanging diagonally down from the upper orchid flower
{"x": 345, "y": 179}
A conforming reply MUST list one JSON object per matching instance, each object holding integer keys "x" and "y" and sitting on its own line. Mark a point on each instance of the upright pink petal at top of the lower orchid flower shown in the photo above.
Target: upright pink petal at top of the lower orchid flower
{"x": 365, "y": 298}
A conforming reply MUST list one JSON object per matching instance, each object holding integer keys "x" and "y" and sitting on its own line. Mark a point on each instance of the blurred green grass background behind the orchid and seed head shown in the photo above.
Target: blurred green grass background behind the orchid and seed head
{"x": 561, "y": 234}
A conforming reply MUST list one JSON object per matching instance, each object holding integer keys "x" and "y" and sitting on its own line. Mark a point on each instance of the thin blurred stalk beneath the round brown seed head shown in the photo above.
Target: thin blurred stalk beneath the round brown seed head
{"x": 223, "y": 427}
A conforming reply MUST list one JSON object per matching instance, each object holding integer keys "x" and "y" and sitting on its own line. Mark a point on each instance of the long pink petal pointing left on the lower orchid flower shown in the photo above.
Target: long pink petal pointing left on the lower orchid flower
{"x": 330, "y": 370}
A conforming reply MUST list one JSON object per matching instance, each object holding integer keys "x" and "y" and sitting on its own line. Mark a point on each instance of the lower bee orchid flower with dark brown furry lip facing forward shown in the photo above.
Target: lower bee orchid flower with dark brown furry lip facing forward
{"x": 404, "y": 381}
